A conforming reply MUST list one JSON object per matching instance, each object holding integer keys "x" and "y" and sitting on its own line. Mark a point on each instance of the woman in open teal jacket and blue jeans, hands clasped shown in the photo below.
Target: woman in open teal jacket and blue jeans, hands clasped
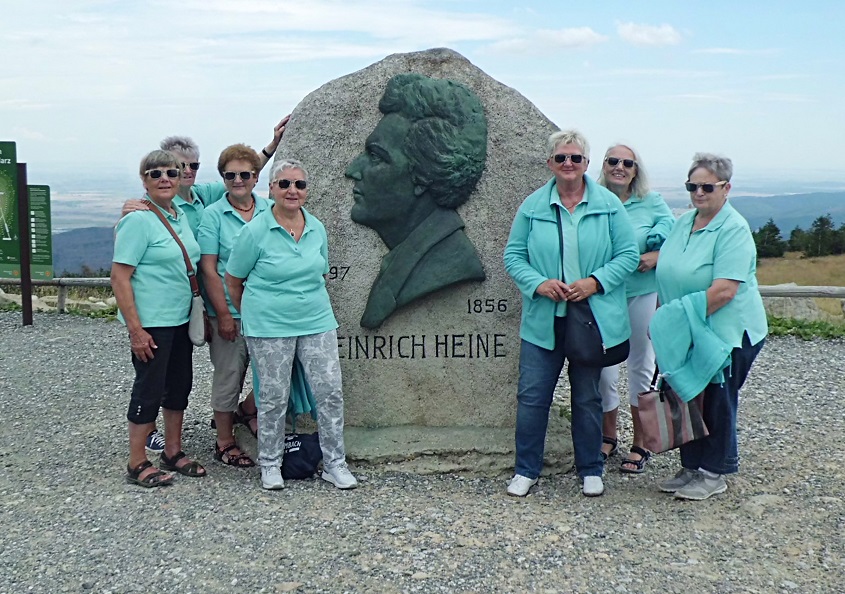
{"x": 599, "y": 254}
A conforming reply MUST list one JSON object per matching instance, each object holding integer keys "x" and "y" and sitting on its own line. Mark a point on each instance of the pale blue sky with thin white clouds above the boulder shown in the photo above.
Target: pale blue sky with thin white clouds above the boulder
{"x": 93, "y": 85}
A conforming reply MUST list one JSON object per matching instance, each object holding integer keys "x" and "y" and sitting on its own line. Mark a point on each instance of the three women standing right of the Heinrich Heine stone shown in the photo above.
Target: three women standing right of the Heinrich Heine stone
{"x": 625, "y": 254}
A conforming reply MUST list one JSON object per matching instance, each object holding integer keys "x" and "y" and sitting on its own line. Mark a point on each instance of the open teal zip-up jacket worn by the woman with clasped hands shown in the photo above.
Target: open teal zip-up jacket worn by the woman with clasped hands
{"x": 607, "y": 250}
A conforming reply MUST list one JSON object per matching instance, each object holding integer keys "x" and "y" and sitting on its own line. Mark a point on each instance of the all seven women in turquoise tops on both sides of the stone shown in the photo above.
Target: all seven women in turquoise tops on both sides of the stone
{"x": 612, "y": 243}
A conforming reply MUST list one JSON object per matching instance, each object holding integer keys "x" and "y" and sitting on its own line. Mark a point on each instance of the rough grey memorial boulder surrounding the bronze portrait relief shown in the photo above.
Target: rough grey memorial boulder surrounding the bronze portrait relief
{"x": 326, "y": 132}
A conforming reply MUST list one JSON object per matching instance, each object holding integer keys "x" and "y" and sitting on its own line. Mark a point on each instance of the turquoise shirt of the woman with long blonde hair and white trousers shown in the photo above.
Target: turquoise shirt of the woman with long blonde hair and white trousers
{"x": 652, "y": 220}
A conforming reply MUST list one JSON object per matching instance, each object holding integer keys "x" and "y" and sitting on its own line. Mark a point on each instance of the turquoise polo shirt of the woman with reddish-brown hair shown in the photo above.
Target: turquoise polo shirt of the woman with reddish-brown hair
{"x": 220, "y": 223}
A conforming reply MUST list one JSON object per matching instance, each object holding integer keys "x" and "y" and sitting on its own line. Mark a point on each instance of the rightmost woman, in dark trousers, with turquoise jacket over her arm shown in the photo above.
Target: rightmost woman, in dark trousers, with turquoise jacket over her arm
{"x": 711, "y": 251}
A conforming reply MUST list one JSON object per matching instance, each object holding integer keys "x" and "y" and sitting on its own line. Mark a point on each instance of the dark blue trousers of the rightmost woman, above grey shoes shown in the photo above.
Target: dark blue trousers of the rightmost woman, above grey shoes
{"x": 718, "y": 452}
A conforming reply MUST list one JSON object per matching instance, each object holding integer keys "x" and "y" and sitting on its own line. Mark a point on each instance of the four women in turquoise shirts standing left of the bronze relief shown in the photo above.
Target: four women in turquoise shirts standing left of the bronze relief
{"x": 259, "y": 309}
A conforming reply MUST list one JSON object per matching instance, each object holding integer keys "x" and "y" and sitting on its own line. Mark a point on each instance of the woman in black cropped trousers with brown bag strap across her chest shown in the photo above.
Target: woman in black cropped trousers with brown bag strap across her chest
{"x": 150, "y": 282}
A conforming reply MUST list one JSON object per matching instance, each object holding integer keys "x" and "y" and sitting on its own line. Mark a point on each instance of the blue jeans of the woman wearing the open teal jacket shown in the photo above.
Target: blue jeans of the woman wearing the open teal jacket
{"x": 539, "y": 370}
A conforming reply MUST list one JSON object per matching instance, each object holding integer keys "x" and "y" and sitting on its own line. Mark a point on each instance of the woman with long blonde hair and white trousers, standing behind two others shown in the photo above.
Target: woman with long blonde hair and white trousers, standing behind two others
{"x": 623, "y": 174}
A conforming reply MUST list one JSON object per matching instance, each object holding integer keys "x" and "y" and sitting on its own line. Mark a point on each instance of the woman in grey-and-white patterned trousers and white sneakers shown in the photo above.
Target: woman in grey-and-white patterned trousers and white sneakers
{"x": 275, "y": 277}
